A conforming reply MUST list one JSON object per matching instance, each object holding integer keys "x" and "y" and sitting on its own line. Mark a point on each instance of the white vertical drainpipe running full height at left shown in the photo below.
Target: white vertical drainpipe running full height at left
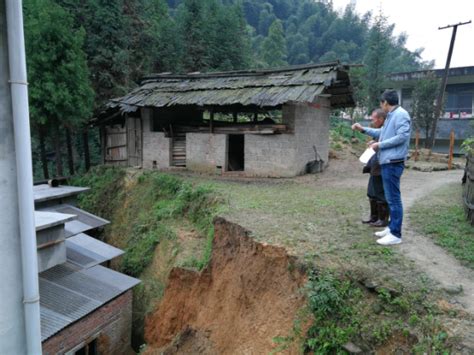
{"x": 19, "y": 93}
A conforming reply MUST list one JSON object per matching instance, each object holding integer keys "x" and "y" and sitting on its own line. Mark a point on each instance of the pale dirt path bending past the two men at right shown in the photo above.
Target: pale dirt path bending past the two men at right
{"x": 430, "y": 258}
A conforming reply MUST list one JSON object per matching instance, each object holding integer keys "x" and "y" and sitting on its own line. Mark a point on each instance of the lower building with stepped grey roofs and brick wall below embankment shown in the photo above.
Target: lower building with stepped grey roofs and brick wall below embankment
{"x": 86, "y": 308}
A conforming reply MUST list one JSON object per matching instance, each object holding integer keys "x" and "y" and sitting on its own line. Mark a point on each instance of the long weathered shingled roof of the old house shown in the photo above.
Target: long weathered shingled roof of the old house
{"x": 264, "y": 88}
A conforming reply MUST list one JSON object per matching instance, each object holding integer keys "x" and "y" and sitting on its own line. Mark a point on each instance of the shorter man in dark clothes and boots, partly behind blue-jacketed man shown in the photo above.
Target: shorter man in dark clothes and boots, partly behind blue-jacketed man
{"x": 375, "y": 192}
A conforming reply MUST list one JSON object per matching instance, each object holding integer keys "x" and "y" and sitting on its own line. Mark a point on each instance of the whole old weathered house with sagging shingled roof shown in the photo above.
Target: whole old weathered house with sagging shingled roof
{"x": 271, "y": 123}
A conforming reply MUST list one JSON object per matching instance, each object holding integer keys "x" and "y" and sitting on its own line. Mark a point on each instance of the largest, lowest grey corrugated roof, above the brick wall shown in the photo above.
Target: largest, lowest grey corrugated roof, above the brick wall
{"x": 68, "y": 293}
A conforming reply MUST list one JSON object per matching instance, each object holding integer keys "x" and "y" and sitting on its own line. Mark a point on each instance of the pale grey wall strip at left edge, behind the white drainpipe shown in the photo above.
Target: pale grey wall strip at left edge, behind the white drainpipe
{"x": 12, "y": 315}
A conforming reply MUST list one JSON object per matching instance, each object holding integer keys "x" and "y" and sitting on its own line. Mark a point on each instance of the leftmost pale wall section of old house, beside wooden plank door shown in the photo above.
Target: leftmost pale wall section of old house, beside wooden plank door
{"x": 156, "y": 147}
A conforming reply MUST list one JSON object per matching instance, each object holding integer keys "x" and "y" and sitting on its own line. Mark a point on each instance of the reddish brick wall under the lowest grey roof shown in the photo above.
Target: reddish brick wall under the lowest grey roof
{"x": 111, "y": 324}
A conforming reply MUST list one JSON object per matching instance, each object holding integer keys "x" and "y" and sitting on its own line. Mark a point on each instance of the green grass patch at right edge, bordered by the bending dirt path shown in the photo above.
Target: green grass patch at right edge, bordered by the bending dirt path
{"x": 446, "y": 224}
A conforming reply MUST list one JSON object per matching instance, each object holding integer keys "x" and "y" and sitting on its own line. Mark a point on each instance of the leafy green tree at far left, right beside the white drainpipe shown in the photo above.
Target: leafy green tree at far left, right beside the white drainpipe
{"x": 60, "y": 92}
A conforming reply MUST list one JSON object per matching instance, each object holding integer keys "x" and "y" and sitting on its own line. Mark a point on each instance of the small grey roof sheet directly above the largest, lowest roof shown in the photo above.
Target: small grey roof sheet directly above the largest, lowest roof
{"x": 86, "y": 251}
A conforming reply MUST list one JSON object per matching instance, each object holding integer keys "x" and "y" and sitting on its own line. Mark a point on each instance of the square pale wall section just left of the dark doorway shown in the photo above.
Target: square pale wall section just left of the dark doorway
{"x": 205, "y": 151}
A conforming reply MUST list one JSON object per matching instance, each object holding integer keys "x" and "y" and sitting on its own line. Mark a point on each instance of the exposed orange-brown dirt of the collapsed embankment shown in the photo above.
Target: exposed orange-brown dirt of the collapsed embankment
{"x": 249, "y": 294}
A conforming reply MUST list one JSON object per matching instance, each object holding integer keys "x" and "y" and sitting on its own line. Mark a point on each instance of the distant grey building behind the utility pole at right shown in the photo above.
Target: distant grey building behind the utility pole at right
{"x": 459, "y": 102}
